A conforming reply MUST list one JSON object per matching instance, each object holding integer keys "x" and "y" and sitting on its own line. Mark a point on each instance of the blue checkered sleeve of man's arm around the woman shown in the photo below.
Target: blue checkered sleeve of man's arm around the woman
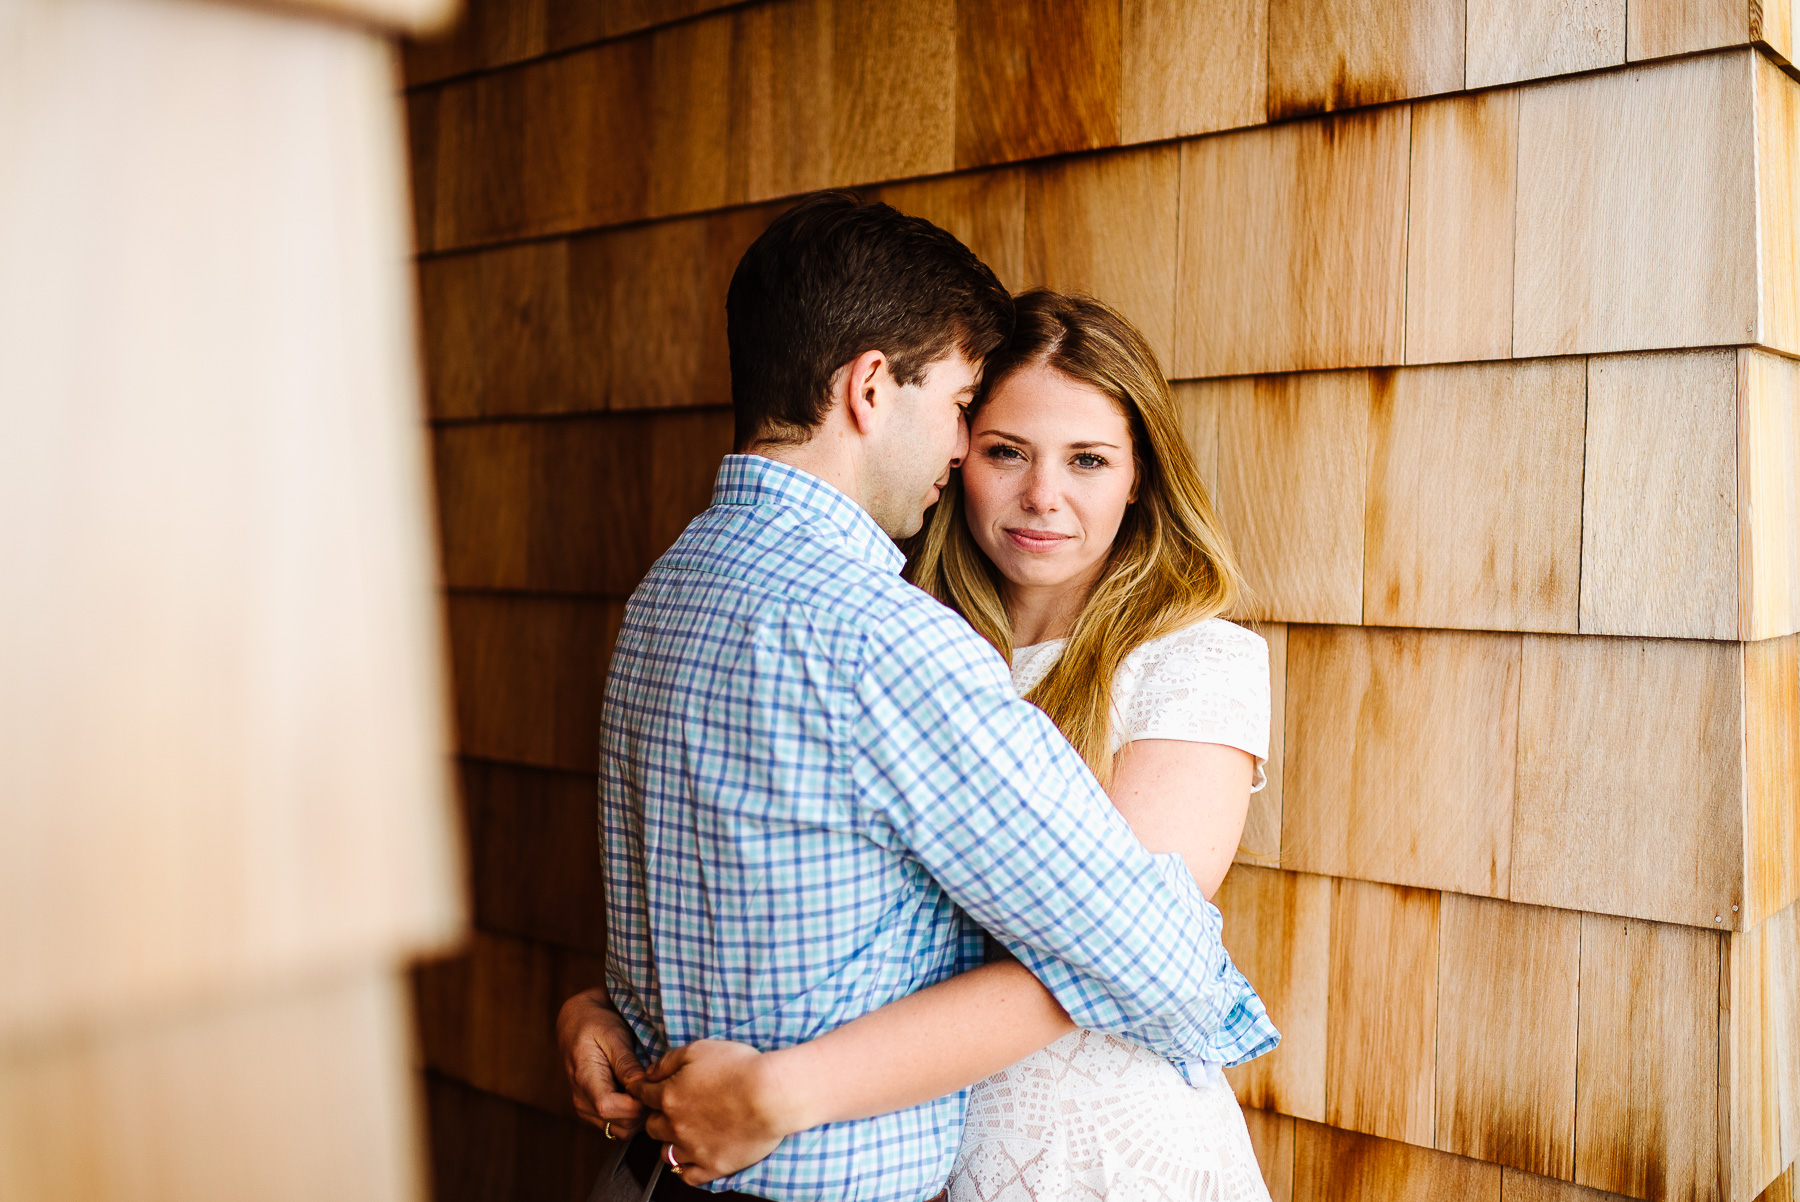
{"x": 984, "y": 791}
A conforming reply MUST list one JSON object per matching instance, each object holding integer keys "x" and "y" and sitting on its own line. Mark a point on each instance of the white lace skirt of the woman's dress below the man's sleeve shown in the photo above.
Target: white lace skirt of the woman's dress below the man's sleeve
{"x": 1095, "y": 1117}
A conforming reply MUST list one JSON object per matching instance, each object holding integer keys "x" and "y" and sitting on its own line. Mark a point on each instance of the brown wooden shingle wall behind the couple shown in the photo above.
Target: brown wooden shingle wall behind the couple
{"x": 1488, "y": 318}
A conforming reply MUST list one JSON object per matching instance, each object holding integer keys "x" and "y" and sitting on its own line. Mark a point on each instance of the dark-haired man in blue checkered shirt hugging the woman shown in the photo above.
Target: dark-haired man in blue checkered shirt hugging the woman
{"x": 813, "y": 771}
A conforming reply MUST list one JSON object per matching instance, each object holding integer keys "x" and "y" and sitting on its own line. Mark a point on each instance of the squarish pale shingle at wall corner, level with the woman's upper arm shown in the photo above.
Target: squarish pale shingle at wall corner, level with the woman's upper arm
{"x": 1630, "y": 778}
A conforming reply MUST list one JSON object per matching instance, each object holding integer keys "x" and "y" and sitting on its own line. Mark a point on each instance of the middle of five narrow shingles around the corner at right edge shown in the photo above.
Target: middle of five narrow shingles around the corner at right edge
{"x": 1768, "y": 494}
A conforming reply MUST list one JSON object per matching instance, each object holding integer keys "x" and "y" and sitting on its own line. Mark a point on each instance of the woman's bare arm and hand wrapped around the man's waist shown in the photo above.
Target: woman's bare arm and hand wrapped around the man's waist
{"x": 724, "y": 1106}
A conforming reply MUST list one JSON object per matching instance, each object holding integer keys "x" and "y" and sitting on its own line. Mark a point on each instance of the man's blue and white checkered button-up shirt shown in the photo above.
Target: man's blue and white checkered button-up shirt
{"x": 813, "y": 778}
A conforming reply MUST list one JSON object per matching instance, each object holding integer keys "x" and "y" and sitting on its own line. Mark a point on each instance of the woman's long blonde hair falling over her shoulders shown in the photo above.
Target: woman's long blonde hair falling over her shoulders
{"x": 1171, "y": 566}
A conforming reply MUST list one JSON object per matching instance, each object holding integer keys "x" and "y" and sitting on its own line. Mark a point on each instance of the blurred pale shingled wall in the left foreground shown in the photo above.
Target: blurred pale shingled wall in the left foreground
{"x": 224, "y": 805}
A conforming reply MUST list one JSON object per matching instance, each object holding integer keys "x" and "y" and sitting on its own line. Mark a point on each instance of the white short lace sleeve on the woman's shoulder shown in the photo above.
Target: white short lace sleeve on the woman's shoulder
{"x": 1203, "y": 685}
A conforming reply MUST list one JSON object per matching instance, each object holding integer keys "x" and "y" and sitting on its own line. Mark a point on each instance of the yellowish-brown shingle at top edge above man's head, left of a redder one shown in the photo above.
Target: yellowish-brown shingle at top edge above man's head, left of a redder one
{"x": 894, "y": 87}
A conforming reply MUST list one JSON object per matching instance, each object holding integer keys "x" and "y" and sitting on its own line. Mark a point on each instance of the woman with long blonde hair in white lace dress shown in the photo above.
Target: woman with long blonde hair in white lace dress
{"x": 1081, "y": 543}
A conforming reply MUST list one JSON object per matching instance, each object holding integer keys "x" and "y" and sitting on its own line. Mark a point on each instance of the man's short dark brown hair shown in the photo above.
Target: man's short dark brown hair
{"x": 838, "y": 276}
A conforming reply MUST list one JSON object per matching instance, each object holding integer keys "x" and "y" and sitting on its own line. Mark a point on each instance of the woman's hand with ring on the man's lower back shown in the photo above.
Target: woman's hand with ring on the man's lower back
{"x": 721, "y": 1108}
